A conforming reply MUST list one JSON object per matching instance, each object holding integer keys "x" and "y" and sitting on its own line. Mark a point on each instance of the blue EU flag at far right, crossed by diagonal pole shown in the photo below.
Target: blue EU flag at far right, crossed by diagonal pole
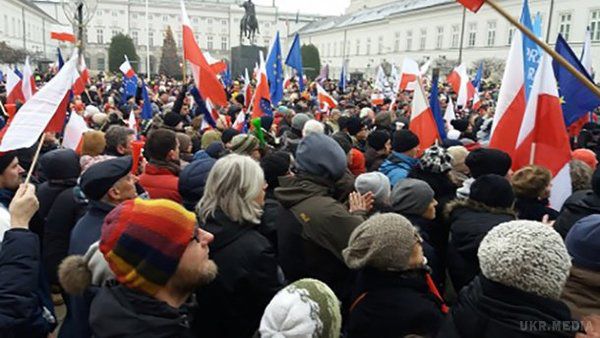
{"x": 577, "y": 99}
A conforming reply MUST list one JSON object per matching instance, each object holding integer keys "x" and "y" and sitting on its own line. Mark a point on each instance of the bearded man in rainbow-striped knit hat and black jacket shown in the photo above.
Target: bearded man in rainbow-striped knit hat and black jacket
{"x": 158, "y": 255}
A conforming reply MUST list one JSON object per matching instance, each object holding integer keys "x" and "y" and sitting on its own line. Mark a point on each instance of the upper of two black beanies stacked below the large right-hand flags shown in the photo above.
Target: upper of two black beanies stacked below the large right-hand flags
{"x": 488, "y": 161}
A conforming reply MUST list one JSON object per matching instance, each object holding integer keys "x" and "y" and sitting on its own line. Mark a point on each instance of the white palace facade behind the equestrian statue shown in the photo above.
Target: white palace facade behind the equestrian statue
{"x": 215, "y": 23}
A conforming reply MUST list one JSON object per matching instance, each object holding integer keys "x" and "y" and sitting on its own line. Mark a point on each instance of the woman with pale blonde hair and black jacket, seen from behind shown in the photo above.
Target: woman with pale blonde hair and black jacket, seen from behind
{"x": 249, "y": 275}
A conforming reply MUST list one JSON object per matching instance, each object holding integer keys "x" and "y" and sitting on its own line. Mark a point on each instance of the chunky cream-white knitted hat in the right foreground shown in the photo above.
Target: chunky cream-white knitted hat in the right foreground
{"x": 526, "y": 255}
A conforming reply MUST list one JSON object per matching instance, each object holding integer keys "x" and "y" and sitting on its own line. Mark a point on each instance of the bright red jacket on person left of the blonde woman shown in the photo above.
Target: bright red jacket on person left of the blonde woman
{"x": 160, "y": 183}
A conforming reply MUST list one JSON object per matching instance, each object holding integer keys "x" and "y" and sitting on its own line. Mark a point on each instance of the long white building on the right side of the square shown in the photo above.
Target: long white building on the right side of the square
{"x": 366, "y": 37}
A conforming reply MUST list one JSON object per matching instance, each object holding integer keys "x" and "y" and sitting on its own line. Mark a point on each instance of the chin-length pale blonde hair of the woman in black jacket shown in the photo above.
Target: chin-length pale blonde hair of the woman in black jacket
{"x": 232, "y": 186}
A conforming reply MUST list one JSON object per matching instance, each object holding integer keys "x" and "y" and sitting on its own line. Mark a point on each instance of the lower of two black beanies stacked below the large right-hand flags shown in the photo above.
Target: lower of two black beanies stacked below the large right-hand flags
{"x": 492, "y": 190}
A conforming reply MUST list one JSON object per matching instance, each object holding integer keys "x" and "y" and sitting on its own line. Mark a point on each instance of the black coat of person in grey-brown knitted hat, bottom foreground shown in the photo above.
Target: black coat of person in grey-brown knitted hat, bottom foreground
{"x": 393, "y": 304}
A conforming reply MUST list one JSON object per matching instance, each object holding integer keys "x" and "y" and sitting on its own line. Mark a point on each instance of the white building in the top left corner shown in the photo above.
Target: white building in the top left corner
{"x": 23, "y": 25}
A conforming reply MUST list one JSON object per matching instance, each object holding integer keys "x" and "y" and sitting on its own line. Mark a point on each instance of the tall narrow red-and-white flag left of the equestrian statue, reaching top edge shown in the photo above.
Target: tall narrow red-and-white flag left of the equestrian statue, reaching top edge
{"x": 205, "y": 78}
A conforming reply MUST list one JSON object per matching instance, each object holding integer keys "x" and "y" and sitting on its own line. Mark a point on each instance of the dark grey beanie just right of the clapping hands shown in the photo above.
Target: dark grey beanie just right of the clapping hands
{"x": 411, "y": 196}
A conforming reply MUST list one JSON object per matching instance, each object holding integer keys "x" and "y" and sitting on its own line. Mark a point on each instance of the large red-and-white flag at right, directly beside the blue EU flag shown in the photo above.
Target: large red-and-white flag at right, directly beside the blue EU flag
{"x": 542, "y": 136}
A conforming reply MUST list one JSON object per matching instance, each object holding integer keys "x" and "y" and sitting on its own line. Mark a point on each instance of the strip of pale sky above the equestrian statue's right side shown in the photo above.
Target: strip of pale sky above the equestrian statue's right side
{"x": 325, "y": 7}
